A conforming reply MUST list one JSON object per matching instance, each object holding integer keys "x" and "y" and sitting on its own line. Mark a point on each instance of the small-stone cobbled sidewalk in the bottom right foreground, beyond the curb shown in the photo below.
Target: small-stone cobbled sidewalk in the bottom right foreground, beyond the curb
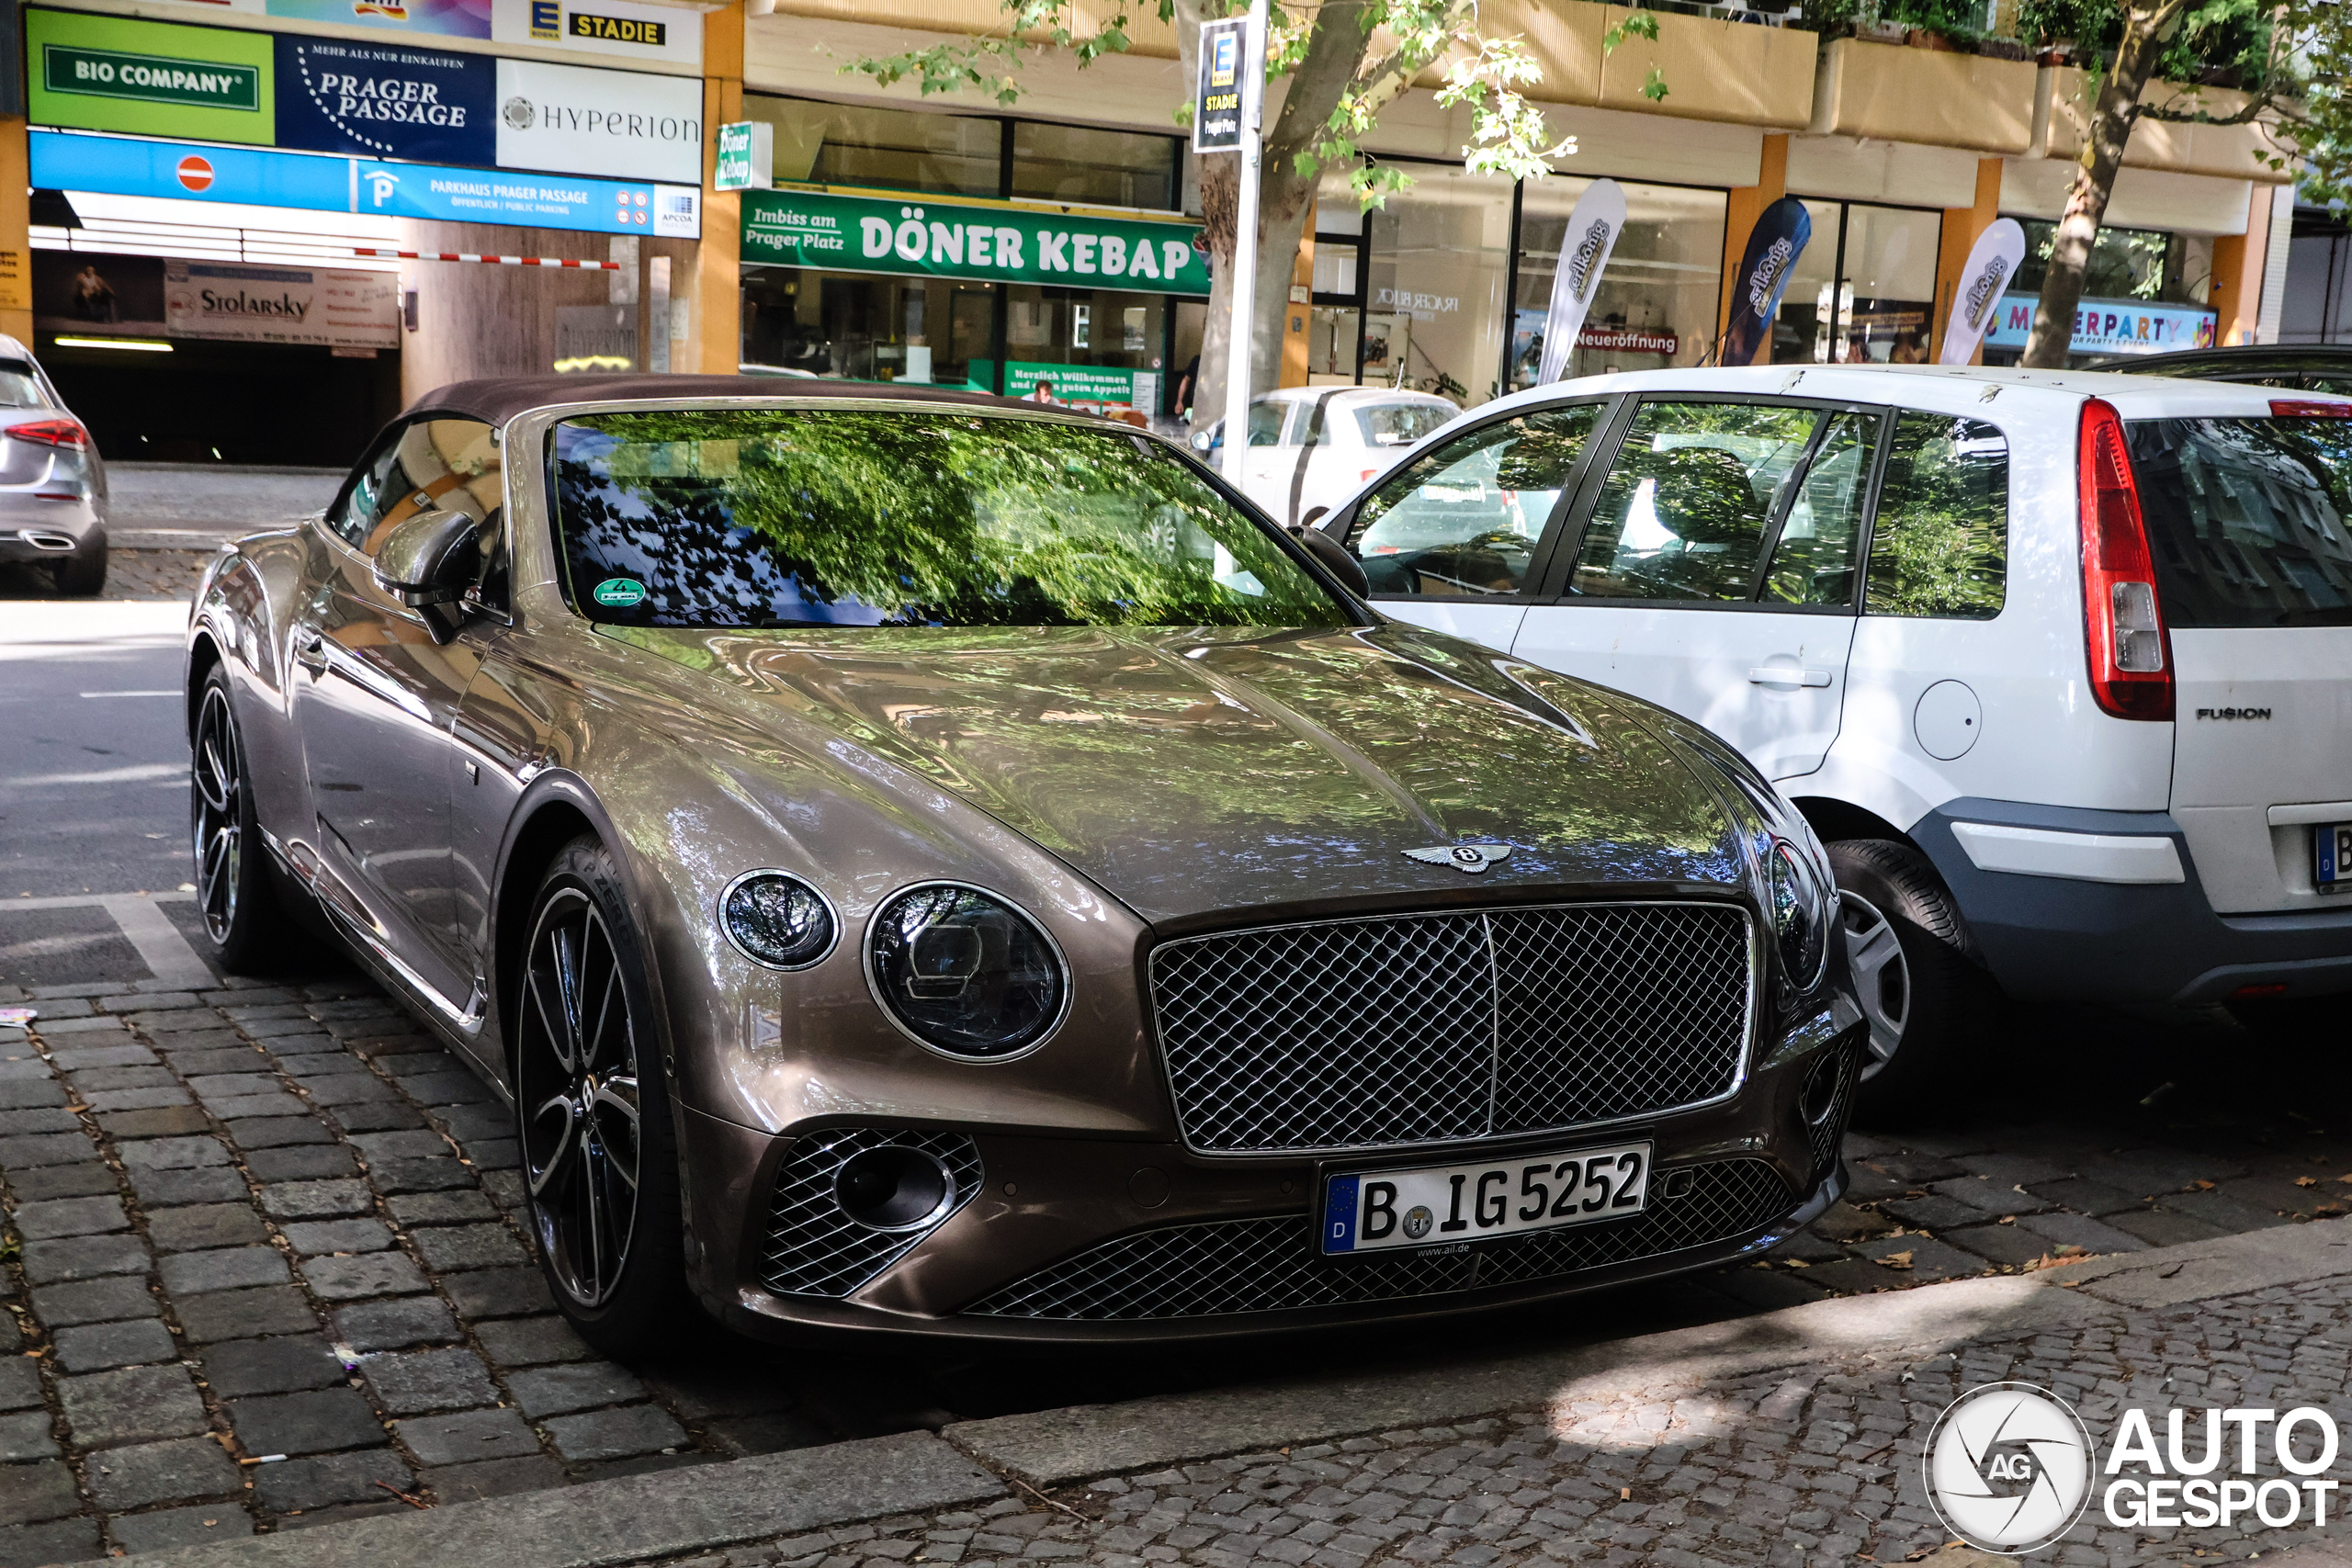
{"x": 1779, "y": 1470}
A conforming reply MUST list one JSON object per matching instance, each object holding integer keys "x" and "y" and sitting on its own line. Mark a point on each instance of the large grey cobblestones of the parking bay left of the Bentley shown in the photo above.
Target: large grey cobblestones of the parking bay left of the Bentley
{"x": 265, "y": 1271}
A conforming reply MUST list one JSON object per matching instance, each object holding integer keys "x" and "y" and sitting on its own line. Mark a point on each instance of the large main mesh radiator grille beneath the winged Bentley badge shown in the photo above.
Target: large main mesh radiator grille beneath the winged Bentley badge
{"x": 1426, "y": 1028}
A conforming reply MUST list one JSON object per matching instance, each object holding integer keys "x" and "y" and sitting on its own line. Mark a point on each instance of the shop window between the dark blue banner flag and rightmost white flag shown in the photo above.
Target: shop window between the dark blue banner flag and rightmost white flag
{"x": 1864, "y": 288}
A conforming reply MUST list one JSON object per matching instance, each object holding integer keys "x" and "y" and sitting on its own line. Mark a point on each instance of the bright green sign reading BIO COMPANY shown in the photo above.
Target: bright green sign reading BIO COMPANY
{"x": 154, "y": 79}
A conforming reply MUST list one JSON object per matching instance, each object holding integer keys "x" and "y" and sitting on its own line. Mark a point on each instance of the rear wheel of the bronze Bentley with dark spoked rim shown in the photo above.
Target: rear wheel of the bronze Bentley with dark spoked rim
{"x": 243, "y": 918}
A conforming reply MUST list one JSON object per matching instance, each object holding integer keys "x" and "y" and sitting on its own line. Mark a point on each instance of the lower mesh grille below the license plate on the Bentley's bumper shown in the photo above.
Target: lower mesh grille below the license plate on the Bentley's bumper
{"x": 1267, "y": 1266}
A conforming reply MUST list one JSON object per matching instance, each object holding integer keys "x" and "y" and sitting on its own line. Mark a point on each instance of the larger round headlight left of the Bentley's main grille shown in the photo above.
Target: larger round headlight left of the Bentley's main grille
{"x": 965, "y": 972}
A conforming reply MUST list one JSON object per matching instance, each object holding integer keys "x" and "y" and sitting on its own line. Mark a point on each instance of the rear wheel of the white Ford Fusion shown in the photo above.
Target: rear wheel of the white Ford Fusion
{"x": 1920, "y": 991}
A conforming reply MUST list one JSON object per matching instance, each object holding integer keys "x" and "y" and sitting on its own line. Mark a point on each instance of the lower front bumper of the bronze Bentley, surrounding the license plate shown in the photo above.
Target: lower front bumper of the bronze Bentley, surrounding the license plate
{"x": 1081, "y": 1240}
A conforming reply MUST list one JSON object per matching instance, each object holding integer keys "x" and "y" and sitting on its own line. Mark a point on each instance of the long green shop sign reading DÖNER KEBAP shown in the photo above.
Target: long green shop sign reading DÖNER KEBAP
{"x": 857, "y": 234}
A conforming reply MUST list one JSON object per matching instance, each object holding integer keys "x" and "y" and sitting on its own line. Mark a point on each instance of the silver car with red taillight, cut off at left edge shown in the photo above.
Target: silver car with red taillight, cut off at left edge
{"x": 53, "y": 485}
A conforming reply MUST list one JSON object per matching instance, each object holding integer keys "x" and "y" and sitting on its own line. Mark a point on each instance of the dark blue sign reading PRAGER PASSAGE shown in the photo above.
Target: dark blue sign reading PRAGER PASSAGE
{"x": 387, "y": 100}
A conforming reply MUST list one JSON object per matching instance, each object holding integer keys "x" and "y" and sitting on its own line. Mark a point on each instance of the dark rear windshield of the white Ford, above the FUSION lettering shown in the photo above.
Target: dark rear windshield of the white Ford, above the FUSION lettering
{"x": 2247, "y": 518}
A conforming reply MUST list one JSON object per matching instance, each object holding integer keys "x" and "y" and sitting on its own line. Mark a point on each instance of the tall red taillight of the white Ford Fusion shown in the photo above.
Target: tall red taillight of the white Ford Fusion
{"x": 2132, "y": 669}
